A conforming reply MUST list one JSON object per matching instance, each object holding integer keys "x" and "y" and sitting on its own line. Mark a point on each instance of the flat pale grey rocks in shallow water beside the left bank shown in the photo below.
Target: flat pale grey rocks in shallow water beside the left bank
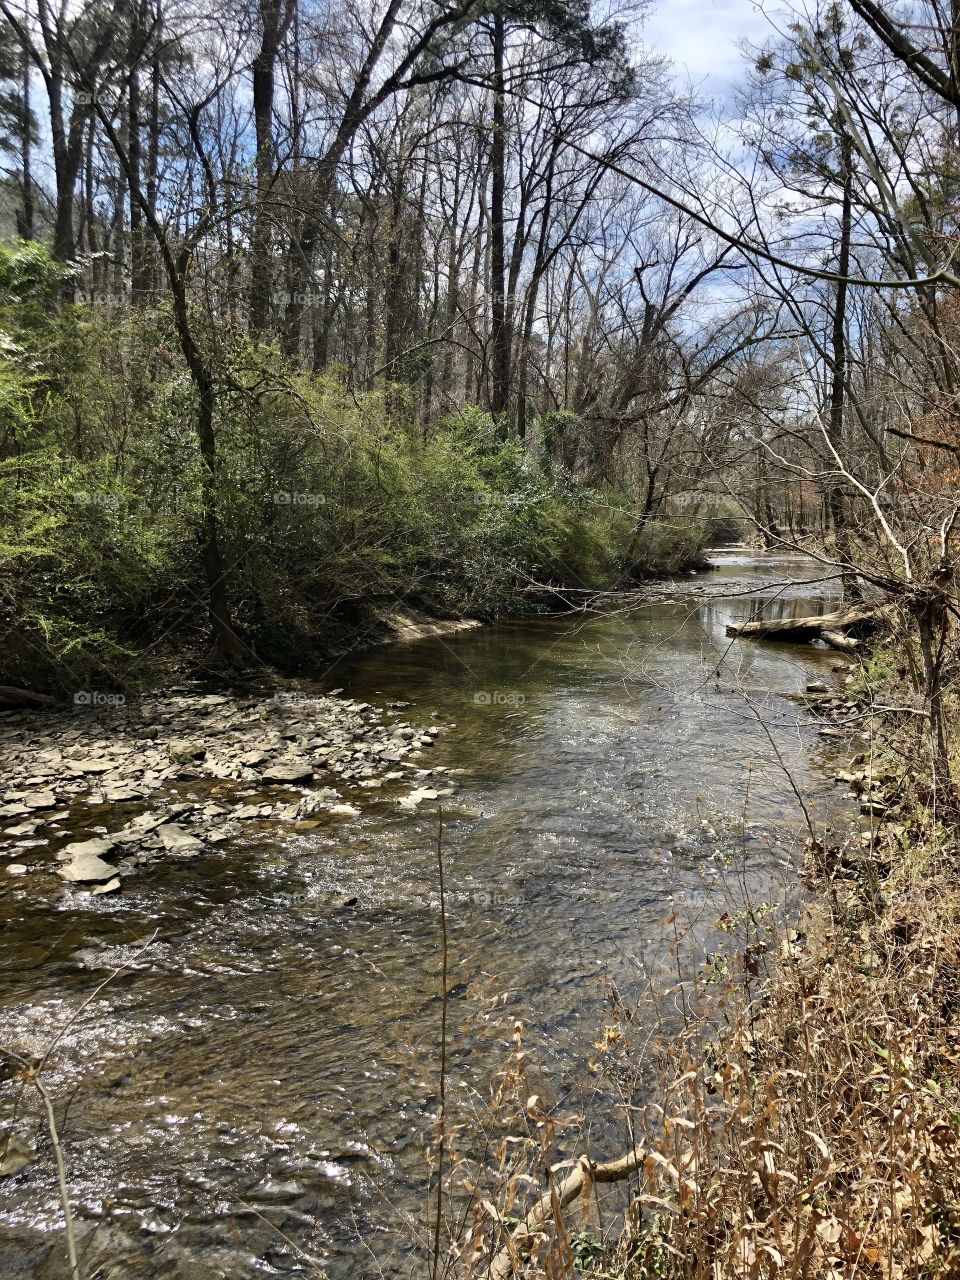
{"x": 94, "y": 793}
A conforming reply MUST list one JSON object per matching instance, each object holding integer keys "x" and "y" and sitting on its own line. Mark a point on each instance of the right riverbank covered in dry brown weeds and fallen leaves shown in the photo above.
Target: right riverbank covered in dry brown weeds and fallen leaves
{"x": 806, "y": 1121}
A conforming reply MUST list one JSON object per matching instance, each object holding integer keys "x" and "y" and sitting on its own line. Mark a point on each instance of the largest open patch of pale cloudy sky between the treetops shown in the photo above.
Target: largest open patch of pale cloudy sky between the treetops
{"x": 703, "y": 39}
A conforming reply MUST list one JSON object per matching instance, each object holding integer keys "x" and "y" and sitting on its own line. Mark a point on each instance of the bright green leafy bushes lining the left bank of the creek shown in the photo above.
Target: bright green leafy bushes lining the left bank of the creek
{"x": 331, "y": 508}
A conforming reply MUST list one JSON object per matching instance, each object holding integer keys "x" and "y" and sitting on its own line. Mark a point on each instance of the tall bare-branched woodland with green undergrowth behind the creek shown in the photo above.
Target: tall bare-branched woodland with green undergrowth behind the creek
{"x": 456, "y": 307}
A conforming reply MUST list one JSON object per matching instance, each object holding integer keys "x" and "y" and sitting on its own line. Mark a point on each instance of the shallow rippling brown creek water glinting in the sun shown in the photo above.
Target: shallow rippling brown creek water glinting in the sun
{"x": 269, "y": 1059}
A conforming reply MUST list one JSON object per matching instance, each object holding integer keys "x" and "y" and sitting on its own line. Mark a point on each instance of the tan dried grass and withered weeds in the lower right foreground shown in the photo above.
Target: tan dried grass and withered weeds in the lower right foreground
{"x": 816, "y": 1136}
